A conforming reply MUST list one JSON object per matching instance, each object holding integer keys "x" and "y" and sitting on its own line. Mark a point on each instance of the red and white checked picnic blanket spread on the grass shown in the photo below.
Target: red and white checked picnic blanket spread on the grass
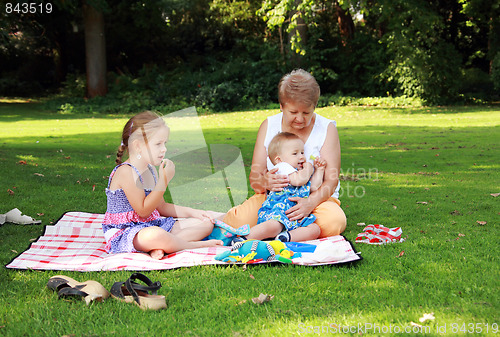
{"x": 76, "y": 242}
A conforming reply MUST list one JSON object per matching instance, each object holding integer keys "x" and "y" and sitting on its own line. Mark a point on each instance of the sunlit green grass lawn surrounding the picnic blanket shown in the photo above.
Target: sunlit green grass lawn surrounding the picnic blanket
{"x": 431, "y": 171}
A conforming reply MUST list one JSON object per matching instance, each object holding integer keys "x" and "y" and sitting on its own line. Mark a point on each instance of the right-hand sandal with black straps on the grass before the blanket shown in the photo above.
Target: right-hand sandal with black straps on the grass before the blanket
{"x": 145, "y": 296}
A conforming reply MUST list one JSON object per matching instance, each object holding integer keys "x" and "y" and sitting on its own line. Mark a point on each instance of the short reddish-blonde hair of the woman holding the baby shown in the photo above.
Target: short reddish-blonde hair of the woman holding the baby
{"x": 298, "y": 86}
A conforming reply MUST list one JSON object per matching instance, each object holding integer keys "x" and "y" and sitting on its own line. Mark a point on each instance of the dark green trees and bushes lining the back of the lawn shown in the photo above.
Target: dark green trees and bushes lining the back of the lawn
{"x": 212, "y": 52}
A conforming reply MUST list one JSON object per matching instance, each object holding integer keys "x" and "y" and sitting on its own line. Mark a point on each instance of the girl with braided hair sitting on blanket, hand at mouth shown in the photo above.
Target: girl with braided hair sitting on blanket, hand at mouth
{"x": 137, "y": 218}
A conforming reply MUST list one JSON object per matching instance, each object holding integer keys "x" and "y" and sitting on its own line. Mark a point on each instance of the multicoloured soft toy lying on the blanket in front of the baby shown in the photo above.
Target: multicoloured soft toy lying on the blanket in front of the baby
{"x": 253, "y": 251}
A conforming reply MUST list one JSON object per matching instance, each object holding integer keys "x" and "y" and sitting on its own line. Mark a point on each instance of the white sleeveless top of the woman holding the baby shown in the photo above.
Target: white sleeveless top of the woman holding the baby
{"x": 313, "y": 144}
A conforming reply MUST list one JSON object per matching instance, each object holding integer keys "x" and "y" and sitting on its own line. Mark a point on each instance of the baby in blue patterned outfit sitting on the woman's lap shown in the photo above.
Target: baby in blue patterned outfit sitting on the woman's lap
{"x": 286, "y": 152}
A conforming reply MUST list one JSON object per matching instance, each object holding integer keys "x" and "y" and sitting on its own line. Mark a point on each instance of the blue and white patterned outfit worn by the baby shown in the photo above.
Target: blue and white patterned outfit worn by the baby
{"x": 277, "y": 202}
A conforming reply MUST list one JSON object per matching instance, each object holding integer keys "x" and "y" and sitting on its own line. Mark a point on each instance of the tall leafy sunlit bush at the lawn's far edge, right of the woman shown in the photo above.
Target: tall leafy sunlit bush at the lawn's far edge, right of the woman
{"x": 423, "y": 64}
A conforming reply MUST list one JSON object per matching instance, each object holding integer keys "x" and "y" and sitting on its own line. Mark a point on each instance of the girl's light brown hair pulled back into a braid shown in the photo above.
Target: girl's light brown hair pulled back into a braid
{"x": 138, "y": 127}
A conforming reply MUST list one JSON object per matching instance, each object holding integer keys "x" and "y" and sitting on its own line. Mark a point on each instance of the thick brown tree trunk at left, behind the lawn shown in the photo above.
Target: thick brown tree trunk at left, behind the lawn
{"x": 95, "y": 51}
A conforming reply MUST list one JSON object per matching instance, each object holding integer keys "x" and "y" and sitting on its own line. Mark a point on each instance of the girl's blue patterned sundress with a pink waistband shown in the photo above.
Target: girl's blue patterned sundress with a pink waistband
{"x": 121, "y": 222}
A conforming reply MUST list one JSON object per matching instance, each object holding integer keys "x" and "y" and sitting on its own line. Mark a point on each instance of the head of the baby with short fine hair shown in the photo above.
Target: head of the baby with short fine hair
{"x": 287, "y": 147}
